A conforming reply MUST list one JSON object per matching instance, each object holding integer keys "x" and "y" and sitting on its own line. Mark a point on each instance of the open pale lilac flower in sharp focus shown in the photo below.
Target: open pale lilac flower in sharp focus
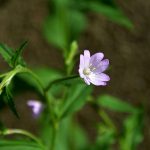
{"x": 91, "y": 68}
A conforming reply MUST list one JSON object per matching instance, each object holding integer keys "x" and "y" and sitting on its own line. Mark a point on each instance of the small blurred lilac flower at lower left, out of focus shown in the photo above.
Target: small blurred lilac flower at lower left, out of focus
{"x": 36, "y": 107}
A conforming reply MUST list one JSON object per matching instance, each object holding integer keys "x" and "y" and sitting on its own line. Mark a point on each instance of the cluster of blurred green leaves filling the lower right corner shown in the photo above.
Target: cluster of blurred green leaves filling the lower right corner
{"x": 131, "y": 135}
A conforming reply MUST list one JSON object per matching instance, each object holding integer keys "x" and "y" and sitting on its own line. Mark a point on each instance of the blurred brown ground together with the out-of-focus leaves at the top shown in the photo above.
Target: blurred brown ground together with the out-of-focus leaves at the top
{"x": 120, "y": 29}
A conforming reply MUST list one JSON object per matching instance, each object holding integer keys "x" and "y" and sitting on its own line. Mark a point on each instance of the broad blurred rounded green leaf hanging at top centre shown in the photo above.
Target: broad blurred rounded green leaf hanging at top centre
{"x": 64, "y": 24}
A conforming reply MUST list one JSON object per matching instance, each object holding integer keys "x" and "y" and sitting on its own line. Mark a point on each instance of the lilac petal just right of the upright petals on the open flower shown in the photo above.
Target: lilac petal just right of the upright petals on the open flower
{"x": 96, "y": 59}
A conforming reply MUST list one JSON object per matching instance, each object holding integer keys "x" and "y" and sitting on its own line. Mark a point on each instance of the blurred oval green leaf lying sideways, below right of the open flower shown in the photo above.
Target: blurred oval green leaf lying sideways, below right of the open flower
{"x": 115, "y": 104}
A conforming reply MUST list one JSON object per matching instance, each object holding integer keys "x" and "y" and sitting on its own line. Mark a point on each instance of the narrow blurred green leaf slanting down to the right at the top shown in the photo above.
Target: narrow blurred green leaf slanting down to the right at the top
{"x": 112, "y": 13}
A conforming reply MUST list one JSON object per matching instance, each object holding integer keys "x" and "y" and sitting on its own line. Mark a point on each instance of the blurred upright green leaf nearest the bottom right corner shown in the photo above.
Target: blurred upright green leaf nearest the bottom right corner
{"x": 132, "y": 133}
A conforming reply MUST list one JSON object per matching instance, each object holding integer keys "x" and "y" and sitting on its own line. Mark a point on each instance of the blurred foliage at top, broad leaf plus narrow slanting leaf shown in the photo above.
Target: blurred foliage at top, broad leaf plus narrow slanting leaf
{"x": 67, "y": 19}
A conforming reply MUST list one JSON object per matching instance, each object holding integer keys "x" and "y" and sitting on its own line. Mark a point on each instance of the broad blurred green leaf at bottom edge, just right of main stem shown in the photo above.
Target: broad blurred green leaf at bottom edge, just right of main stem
{"x": 71, "y": 135}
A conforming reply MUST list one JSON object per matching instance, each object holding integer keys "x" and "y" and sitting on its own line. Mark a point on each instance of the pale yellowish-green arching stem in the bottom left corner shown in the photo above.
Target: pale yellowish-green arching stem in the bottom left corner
{"x": 22, "y": 132}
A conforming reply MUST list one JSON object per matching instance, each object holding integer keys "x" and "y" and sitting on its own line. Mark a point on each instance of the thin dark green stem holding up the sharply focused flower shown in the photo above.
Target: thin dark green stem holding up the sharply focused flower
{"x": 59, "y": 80}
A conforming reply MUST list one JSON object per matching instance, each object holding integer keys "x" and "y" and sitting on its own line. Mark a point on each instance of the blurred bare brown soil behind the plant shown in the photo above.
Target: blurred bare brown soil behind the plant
{"x": 128, "y": 52}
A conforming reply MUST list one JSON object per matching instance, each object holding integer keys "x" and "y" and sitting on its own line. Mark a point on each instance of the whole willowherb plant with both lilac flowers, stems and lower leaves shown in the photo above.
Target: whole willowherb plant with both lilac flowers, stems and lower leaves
{"x": 61, "y": 96}
